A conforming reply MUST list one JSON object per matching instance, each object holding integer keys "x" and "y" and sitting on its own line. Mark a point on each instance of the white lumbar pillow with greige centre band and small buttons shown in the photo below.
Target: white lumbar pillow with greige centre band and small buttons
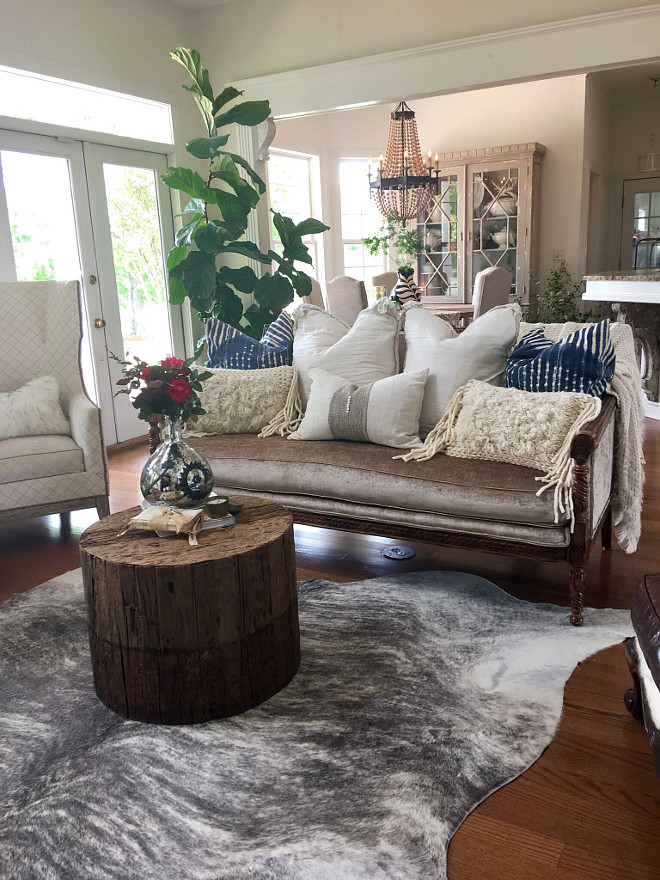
{"x": 385, "y": 411}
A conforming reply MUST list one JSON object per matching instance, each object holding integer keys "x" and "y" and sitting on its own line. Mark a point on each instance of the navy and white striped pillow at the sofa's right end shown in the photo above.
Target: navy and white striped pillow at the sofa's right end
{"x": 582, "y": 361}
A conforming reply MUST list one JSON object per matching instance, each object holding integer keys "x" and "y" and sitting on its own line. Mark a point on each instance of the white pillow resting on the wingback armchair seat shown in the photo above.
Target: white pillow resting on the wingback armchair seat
{"x": 33, "y": 410}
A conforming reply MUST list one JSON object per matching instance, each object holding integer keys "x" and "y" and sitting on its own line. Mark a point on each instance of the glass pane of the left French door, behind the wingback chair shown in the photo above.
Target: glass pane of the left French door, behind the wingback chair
{"x": 43, "y": 227}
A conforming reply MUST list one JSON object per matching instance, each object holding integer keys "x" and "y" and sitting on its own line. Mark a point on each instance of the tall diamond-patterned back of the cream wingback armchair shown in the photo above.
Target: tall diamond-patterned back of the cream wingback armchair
{"x": 40, "y": 333}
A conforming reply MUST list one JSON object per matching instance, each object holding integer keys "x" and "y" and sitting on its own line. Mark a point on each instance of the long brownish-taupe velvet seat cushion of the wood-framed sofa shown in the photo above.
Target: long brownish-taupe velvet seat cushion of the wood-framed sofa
{"x": 366, "y": 473}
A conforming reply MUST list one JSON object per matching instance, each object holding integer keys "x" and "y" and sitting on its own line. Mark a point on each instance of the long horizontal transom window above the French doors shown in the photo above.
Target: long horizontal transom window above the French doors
{"x": 26, "y": 95}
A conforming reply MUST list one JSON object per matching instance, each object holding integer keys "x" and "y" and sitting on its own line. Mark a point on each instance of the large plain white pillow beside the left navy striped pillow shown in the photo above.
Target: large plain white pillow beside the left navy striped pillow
{"x": 367, "y": 352}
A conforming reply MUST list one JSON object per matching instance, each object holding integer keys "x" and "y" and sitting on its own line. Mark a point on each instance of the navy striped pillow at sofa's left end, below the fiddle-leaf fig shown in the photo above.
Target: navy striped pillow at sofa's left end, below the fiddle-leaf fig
{"x": 229, "y": 349}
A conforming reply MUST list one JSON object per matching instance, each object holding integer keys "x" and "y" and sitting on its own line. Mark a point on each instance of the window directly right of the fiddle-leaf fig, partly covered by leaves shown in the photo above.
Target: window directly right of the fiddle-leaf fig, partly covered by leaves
{"x": 293, "y": 184}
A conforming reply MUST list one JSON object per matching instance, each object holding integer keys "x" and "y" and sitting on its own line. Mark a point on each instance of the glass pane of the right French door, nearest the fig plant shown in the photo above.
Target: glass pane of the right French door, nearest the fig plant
{"x": 138, "y": 261}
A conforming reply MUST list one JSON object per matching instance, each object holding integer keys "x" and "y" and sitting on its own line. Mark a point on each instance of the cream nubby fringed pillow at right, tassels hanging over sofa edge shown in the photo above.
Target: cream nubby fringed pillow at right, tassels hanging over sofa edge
{"x": 532, "y": 429}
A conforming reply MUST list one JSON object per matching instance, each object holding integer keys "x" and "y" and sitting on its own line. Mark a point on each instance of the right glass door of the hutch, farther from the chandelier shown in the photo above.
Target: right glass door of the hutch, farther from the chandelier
{"x": 494, "y": 206}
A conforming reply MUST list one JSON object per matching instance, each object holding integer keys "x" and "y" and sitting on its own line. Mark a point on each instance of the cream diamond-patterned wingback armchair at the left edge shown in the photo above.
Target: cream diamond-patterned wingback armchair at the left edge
{"x": 40, "y": 335}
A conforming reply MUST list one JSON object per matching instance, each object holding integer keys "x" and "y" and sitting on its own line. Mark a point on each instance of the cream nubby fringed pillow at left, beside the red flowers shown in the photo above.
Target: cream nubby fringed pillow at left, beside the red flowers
{"x": 244, "y": 401}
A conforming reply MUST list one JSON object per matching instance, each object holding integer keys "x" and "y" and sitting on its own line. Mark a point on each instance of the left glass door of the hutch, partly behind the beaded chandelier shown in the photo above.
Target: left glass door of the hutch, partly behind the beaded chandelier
{"x": 441, "y": 225}
